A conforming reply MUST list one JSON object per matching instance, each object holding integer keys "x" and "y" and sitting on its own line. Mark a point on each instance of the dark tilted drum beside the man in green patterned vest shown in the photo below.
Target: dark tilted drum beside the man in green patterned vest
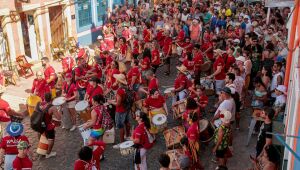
{"x": 207, "y": 131}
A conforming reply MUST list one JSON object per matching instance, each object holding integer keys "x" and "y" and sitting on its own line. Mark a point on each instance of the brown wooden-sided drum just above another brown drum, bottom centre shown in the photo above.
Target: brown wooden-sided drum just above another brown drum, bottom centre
{"x": 173, "y": 136}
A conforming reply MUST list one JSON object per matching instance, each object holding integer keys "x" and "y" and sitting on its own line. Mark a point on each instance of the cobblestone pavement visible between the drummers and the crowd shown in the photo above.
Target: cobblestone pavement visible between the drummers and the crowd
{"x": 68, "y": 143}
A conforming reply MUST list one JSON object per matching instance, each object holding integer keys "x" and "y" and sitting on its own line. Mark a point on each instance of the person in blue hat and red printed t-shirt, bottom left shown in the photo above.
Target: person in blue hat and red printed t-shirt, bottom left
{"x": 8, "y": 145}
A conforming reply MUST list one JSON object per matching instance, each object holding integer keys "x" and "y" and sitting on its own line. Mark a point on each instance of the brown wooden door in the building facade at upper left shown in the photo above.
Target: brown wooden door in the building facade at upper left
{"x": 56, "y": 25}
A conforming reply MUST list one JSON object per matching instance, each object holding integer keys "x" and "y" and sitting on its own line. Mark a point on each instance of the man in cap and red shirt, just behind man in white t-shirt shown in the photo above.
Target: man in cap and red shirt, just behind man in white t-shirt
{"x": 219, "y": 71}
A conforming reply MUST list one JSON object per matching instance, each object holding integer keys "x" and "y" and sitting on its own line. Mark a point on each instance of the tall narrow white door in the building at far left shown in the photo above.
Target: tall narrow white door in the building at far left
{"x": 32, "y": 38}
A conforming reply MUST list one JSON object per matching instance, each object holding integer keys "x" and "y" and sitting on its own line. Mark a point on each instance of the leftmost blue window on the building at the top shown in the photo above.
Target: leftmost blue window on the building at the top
{"x": 84, "y": 13}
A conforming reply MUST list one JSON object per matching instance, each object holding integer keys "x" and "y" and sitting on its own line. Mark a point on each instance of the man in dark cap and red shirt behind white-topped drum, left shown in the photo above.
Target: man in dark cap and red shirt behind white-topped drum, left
{"x": 93, "y": 89}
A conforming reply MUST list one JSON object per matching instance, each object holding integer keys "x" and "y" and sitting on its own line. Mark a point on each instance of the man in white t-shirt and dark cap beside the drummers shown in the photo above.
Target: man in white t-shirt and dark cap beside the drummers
{"x": 227, "y": 103}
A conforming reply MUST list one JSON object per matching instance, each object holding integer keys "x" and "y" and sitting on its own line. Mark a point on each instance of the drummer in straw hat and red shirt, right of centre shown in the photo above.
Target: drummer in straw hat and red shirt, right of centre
{"x": 180, "y": 83}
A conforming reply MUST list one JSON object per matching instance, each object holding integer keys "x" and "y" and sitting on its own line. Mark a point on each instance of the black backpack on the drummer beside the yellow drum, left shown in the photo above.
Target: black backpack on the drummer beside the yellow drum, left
{"x": 37, "y": 119}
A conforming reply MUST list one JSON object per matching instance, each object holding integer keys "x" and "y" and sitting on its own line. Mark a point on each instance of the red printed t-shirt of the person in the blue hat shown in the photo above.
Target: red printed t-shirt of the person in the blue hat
{"x": 9, "y": 144}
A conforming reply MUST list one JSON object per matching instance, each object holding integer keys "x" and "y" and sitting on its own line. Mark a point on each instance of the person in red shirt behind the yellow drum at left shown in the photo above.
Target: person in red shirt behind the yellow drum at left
{"x": 39, "y": 85}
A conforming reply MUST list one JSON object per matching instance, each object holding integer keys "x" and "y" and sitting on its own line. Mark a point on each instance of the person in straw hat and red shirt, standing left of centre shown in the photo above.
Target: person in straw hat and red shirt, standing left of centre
{"x": 121, "y": 116}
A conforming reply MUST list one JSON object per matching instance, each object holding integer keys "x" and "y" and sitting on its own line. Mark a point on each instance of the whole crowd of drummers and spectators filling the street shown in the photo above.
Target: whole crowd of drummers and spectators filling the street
{"x": 227, "y": 49}
